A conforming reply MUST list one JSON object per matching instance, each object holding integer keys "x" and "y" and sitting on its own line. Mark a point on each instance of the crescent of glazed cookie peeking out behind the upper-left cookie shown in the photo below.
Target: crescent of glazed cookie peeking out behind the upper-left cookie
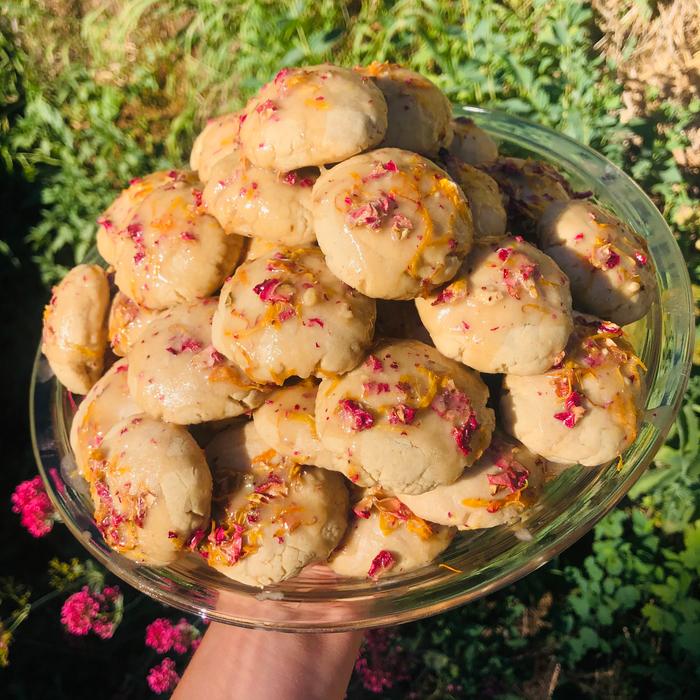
{"x": 113, "y": 222}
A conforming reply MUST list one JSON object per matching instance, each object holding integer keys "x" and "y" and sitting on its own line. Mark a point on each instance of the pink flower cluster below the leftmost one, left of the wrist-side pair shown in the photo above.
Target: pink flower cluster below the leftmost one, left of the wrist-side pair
{"x": 87, "y": 611}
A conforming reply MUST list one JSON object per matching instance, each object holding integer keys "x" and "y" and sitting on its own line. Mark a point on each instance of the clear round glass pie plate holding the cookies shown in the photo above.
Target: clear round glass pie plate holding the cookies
{"x": 477, "y": 563}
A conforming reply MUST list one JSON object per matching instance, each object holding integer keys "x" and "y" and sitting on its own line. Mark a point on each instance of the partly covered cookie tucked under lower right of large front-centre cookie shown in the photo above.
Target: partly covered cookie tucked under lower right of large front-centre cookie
{"x": 494, "y": 491}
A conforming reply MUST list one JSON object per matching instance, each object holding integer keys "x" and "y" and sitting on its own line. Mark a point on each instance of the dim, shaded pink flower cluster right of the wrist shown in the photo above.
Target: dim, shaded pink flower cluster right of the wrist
{"x": 382, "y": 663}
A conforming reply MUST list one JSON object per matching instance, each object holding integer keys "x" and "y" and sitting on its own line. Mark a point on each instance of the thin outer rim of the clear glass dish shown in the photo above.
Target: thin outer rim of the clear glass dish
{"x": 451, "y": 598}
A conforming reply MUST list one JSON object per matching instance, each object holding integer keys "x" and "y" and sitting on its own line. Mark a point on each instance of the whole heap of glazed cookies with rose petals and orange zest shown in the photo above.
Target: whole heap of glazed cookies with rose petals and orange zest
{"x": 350, "y": 330}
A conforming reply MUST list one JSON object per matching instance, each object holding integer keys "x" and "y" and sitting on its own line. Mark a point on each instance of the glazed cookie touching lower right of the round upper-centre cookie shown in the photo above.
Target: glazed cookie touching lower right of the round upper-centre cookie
{"x": 508, "y": 310}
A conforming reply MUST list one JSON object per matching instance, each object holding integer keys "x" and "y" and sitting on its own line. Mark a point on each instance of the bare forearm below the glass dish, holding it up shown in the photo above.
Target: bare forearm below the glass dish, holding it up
{"x": 233, "y": 662}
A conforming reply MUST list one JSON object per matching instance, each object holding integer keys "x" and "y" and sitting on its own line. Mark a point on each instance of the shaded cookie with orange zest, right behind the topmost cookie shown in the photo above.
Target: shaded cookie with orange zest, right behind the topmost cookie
{"x": 419, "y": 114}
